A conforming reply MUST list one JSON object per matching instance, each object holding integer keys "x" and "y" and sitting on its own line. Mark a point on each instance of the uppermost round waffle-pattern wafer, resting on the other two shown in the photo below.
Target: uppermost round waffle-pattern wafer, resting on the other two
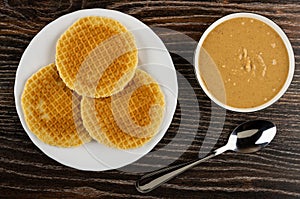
{"x": 96, "y": 56}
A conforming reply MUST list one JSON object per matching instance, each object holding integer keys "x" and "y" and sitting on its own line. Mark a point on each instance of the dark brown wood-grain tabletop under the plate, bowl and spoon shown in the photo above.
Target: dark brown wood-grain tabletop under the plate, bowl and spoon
{"x": 271, "y": 173}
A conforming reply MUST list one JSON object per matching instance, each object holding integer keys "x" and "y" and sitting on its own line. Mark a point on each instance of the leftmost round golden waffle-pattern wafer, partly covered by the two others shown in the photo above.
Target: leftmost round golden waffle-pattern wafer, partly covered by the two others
{"x": 52, "y": 111}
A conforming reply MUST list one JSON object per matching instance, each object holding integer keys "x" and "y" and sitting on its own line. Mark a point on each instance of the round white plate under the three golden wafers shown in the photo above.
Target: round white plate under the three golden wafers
{"x": 153, "y": 58}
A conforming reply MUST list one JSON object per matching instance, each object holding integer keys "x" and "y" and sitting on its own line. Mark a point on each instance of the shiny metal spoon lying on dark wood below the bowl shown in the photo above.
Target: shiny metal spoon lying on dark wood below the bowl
{"x": 248, "y": 137}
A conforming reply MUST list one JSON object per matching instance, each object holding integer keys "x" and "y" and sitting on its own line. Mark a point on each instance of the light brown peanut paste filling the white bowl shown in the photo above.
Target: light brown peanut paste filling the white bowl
{"x": 250, "y": 61}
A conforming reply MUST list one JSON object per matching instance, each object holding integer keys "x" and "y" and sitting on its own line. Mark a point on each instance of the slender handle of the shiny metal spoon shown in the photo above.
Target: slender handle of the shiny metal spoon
{"x": 154, "y": 179}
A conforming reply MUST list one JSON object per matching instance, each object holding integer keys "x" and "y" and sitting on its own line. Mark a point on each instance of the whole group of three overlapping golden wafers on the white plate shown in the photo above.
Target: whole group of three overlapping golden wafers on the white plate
{"x": 94, "y": 90}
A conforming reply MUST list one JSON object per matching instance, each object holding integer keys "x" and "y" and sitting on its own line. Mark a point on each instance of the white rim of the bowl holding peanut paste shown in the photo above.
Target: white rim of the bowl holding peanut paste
{"x": 285, "y": 40}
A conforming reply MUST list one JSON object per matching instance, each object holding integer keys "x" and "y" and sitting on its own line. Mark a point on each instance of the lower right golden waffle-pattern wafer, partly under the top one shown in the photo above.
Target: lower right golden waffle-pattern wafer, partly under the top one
{"x": 129, "y": 118}
